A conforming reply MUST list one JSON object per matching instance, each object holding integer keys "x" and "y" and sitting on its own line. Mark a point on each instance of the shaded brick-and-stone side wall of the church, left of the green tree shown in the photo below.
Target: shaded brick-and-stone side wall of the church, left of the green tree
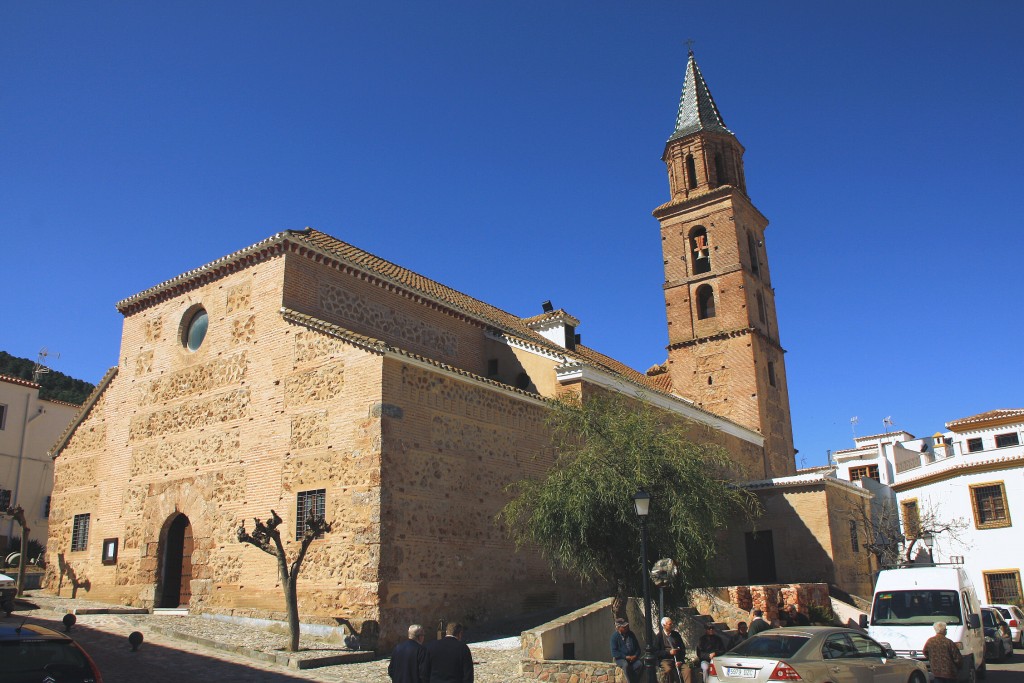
{"x": 450, "y": 449}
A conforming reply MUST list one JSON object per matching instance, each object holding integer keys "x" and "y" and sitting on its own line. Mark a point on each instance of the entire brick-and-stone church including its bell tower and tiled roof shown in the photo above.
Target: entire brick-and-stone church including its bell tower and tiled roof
{"x": 305, "y": 375}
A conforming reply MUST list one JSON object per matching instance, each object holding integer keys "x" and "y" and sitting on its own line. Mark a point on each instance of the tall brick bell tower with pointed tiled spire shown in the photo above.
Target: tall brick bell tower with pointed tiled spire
{"x": 724, "y": 351}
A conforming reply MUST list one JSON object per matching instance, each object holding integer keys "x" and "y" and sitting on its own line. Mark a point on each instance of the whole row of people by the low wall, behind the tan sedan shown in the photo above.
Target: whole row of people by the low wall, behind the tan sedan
{"x": 671, "y": 652}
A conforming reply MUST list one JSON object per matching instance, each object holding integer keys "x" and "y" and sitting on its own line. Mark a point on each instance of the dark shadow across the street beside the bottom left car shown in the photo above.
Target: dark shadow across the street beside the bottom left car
{"x": 155, "y": 664}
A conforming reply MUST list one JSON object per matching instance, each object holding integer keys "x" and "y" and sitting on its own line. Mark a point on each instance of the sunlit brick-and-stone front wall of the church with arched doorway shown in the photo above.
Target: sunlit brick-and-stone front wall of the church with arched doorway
{"x": 262, "y": 411}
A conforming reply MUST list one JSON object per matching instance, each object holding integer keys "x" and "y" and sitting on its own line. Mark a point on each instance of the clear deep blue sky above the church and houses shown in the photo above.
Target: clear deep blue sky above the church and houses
{"x": 511, "y": 150}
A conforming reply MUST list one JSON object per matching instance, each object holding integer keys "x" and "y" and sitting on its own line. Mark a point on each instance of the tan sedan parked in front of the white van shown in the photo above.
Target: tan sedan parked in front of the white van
{"x": 815, "y": 654}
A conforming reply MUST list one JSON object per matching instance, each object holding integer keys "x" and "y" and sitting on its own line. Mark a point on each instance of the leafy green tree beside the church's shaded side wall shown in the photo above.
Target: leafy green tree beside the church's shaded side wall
{"x": 581, "y": 515}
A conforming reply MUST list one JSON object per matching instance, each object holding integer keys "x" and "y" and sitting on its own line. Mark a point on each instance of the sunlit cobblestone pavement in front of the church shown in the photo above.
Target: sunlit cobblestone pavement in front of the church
{"x": 170, "y": 654}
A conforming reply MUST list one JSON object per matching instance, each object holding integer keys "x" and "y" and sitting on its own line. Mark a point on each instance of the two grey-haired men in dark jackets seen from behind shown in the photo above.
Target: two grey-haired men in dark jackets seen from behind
{"x": 445, "y": 661}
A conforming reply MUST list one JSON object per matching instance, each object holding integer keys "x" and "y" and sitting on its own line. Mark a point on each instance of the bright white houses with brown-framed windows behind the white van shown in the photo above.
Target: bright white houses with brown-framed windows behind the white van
{"x": 974, "y": 473}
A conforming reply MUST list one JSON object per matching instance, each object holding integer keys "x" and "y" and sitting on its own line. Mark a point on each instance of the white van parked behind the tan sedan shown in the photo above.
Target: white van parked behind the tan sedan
{"x": 909, "y": 602}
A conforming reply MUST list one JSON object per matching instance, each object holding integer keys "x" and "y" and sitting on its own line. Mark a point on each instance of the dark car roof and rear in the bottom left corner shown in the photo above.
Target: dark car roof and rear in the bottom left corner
{"x": 32, "y": 654}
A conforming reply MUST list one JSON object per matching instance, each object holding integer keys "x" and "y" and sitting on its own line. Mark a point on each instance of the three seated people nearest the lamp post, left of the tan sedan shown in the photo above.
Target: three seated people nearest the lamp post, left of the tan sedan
{"x": 669, "y": 651}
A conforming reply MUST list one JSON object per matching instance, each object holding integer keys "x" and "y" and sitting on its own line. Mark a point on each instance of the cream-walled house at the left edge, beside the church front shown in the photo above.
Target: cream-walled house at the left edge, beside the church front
{"x": 29, "y": 429}
